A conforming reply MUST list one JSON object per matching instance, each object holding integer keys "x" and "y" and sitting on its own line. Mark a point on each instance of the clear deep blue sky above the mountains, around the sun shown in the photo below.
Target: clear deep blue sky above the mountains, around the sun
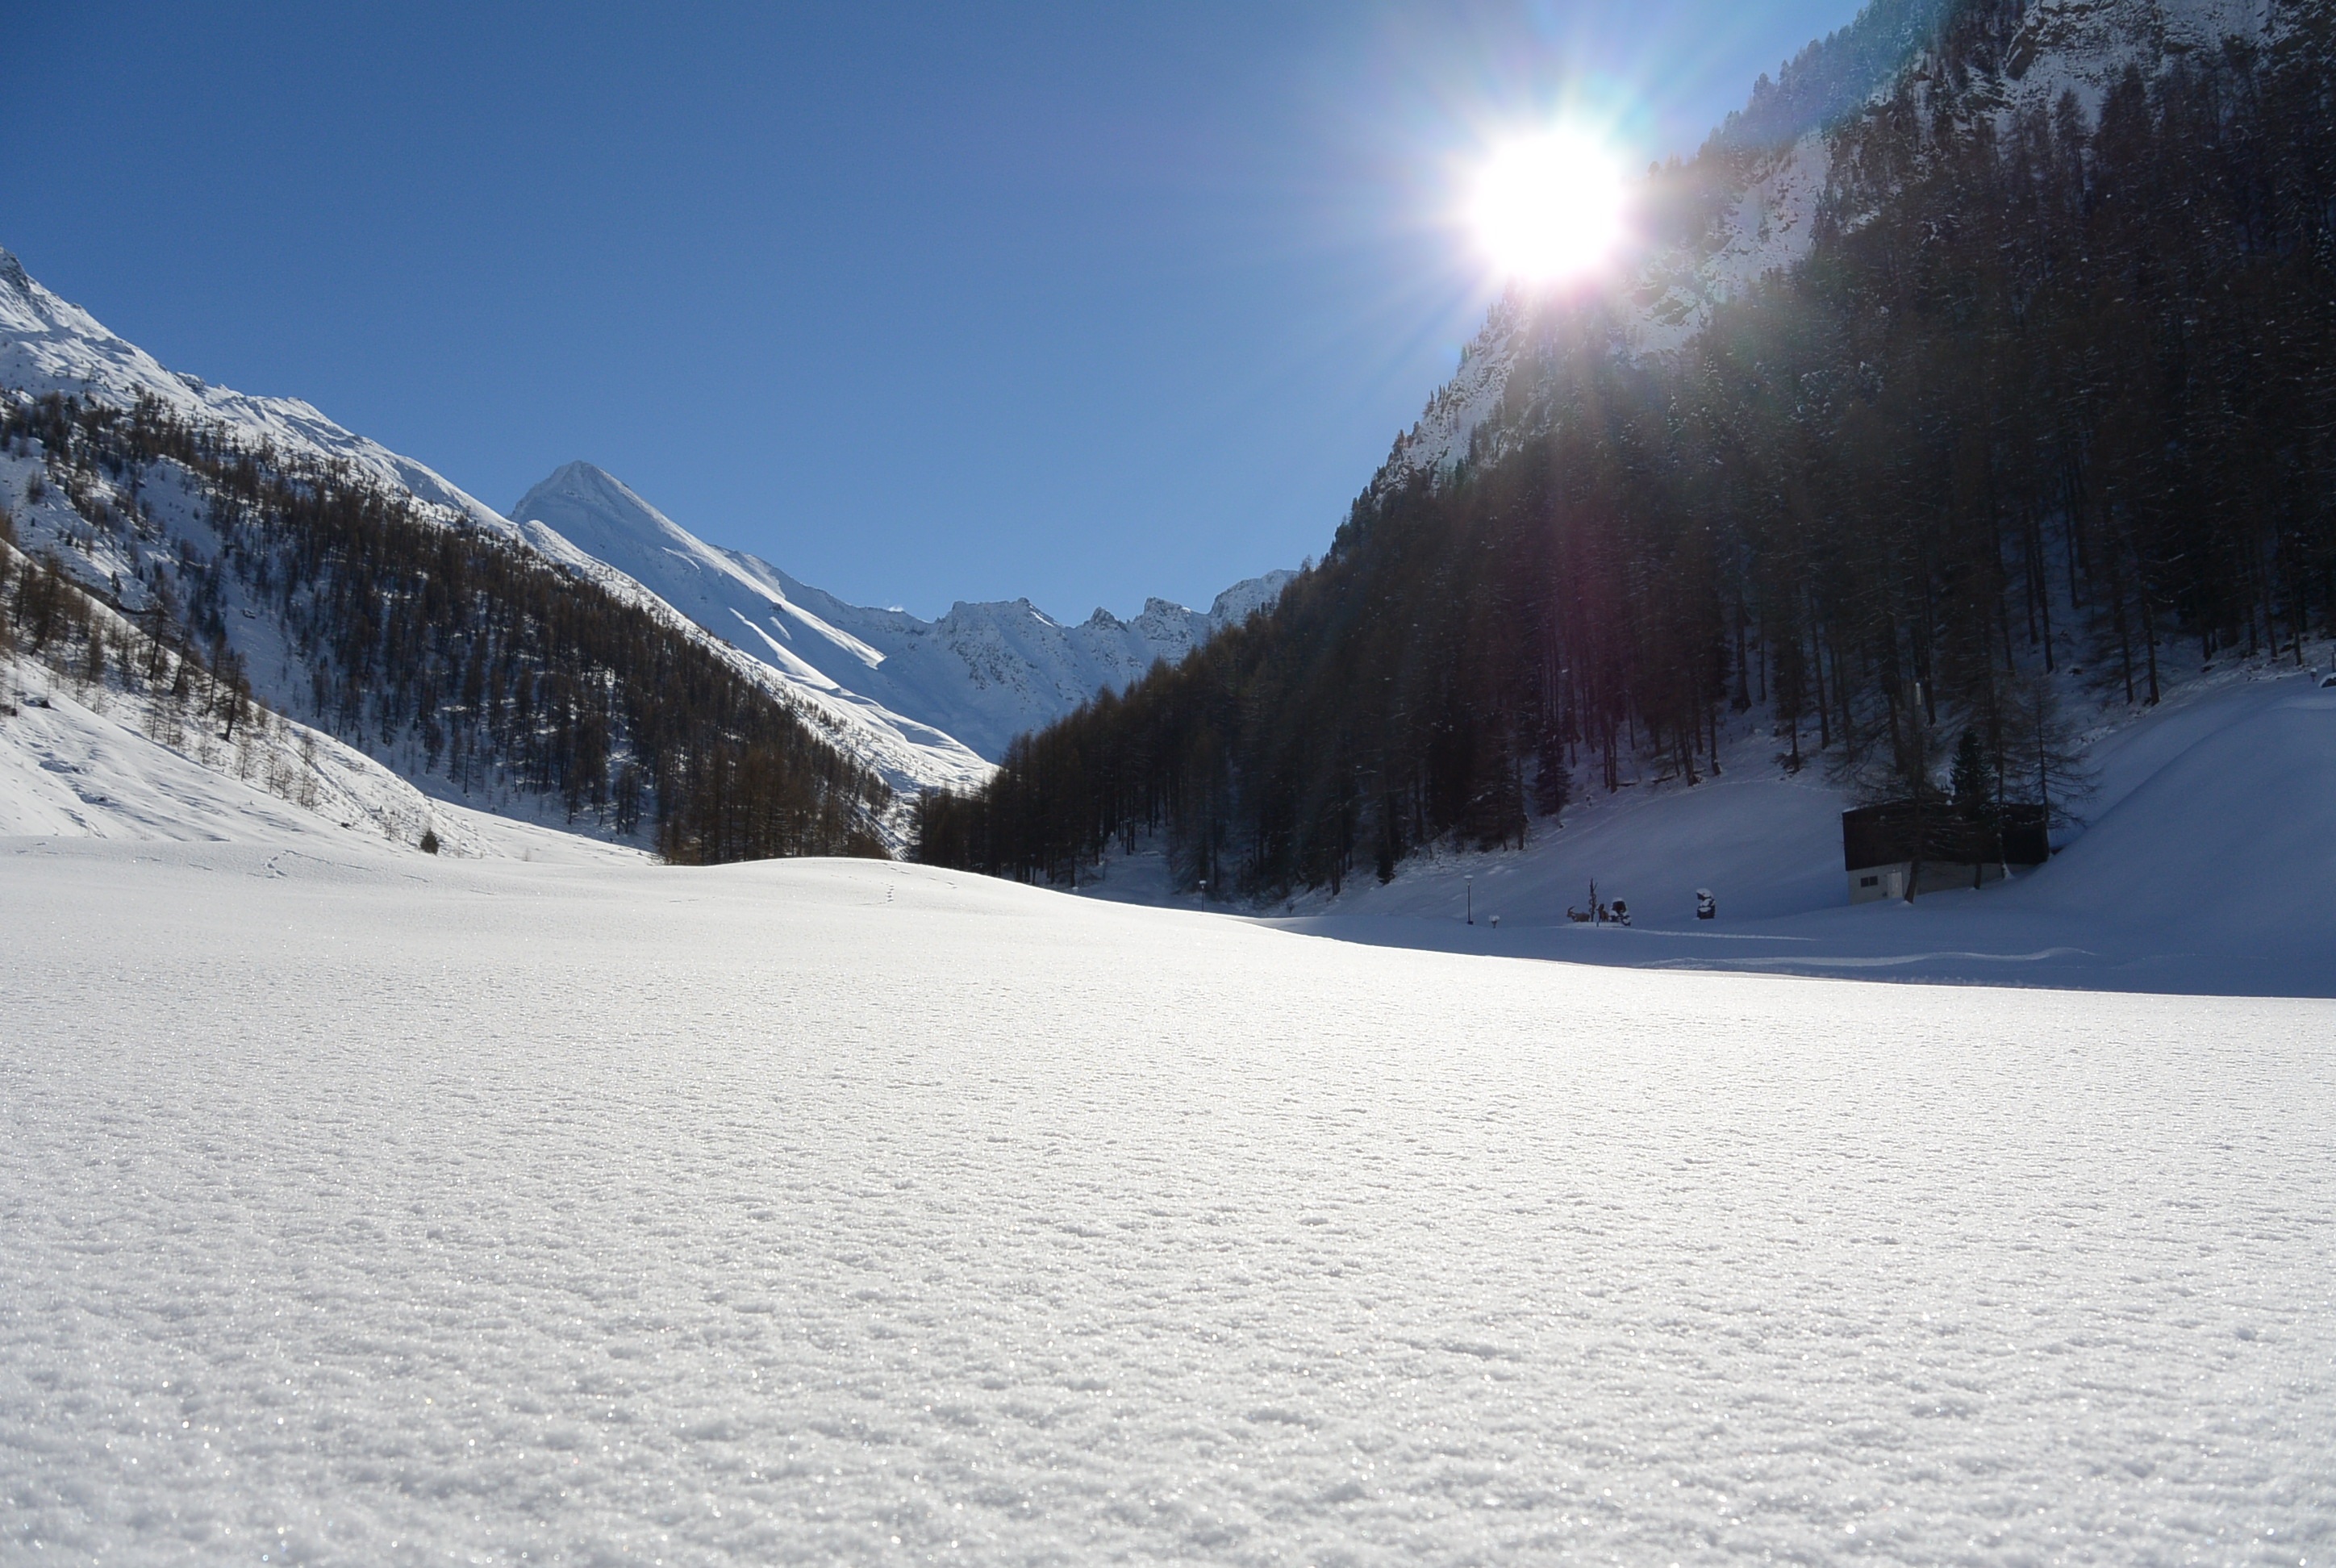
{"x": 922, "y": 303}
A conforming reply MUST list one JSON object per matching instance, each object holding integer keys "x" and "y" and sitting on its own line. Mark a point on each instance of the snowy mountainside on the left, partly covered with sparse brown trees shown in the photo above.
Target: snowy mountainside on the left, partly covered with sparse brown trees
{"x": 232, "y": 564}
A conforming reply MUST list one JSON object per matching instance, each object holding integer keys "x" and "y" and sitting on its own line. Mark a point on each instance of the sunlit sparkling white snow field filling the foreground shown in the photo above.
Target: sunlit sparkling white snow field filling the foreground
{"x": 375, "y": 1209}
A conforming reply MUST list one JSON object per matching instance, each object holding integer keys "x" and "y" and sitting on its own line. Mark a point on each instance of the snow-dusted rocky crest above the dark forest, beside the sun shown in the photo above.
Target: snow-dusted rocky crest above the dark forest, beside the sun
{"x": 1763, "y": 214}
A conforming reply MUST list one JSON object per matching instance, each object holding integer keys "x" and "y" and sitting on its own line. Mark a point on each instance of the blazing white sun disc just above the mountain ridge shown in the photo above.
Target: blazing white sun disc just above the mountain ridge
{"x": 1550, "y": 207}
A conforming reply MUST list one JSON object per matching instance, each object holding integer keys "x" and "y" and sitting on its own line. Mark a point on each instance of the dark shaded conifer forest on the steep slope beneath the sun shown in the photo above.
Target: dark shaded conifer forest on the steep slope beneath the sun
{"x": 2055, "y": 387}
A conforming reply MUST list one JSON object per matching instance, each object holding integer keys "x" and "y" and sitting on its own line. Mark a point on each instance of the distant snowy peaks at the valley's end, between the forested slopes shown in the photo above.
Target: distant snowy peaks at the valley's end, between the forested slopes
{"x": 973, "y": 679}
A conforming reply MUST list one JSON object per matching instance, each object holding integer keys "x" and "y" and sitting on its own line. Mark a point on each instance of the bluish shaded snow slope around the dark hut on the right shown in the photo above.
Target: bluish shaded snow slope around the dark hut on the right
{"x": 2206, "y": 866}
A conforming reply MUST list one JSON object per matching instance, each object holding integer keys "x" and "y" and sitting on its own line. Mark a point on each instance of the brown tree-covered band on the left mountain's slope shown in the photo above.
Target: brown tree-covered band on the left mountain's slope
{"x": 415, "y": 634}
